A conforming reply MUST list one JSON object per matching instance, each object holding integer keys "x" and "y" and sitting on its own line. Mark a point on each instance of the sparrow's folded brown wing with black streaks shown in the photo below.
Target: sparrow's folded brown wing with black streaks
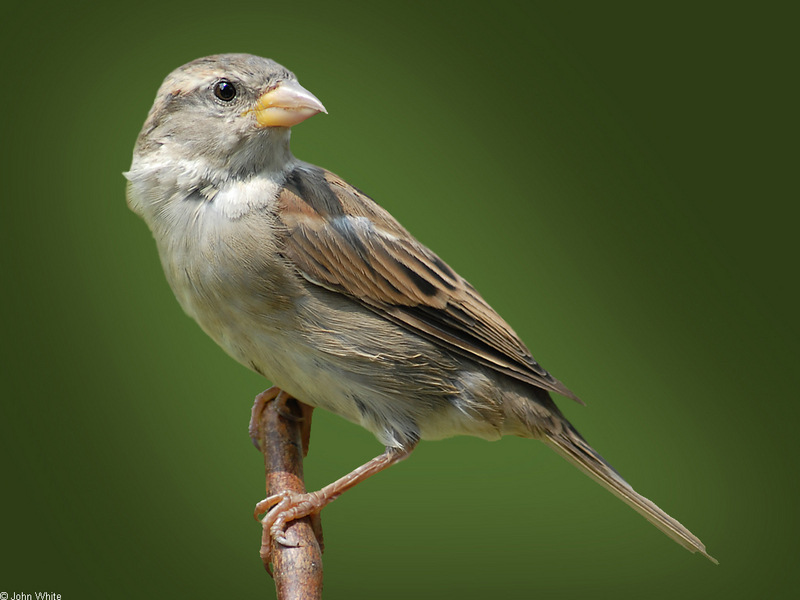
{"x": 339, "y": 239}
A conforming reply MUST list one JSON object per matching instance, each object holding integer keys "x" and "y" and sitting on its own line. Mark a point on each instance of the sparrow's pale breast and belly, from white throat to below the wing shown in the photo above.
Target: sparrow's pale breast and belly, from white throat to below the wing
{"x": 228, "y": 273}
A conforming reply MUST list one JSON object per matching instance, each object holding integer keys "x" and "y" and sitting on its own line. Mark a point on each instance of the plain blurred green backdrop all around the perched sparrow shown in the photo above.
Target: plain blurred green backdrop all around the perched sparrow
{"x": 614, "y": 179}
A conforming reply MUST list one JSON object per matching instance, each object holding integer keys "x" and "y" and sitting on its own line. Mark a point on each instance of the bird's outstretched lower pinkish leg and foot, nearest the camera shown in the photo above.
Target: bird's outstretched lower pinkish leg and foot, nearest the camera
{"x": 288, "y": 506}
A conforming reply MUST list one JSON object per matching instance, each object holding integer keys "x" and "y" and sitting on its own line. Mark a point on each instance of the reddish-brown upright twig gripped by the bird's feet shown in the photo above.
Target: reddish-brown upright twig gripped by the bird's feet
{"x": 297, "y": 569}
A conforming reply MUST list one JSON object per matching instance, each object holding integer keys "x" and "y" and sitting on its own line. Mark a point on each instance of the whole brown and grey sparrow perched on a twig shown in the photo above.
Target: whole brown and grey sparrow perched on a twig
{"x": 304, "y": 279}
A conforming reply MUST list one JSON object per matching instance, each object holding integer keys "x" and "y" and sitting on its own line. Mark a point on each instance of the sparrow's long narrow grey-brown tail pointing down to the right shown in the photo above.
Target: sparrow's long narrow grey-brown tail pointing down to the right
{"x": 569, "y": 444}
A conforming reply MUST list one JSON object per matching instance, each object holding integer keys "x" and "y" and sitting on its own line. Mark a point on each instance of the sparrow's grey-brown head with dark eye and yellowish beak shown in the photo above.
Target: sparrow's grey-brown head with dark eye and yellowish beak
{"x": 228, "y": 113}
